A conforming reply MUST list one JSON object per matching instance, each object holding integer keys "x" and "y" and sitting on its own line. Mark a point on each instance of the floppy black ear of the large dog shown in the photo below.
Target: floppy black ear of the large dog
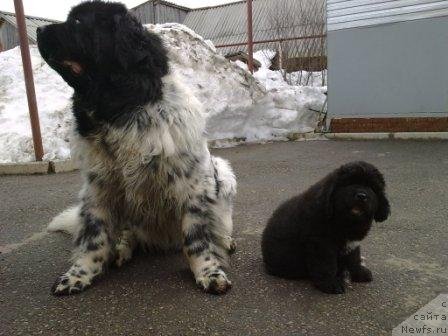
{"x": 136, "y": 48}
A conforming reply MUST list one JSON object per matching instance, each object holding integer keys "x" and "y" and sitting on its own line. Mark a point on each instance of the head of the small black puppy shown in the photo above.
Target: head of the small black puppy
{"x": 354, "y": 196}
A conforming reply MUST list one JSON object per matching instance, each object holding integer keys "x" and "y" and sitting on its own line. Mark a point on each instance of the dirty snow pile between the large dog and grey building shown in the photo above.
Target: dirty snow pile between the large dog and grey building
{"x": 239, "y": 105}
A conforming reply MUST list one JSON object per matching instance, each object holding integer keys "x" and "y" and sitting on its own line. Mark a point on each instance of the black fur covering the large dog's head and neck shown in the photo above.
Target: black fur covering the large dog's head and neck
{"x": 119, "y": 64}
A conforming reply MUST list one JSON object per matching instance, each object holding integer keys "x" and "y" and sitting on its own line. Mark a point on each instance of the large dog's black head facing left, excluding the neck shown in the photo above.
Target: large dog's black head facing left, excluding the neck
{"x": 97, "y": 41}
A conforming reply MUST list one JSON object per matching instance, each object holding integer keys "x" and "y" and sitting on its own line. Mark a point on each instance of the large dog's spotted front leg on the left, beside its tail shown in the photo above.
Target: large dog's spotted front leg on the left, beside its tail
{"x": 92, "y": 252}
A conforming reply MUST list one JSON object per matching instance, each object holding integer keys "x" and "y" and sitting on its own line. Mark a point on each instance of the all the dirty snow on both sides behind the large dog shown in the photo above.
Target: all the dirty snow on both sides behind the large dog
{"x": 238, "y": 106}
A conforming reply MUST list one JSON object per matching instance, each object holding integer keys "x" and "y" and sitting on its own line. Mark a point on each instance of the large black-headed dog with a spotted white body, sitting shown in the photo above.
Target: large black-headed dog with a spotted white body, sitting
{"x": 149, "y": 178}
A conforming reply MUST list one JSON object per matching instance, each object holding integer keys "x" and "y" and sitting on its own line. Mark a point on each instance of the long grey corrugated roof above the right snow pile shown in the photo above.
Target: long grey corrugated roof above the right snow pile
{"x": 272, "y": 19}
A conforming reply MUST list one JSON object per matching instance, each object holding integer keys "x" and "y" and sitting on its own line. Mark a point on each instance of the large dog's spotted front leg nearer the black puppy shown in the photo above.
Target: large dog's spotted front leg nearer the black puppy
{"x": 206, "y": 252}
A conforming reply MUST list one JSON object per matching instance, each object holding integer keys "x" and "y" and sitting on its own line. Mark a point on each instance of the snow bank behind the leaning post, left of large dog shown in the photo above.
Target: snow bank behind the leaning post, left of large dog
{"x": 53, "y": 100}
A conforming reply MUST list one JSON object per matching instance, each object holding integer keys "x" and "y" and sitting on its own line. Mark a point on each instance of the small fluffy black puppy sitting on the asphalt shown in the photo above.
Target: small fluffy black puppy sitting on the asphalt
{"x": 316, "y": 235}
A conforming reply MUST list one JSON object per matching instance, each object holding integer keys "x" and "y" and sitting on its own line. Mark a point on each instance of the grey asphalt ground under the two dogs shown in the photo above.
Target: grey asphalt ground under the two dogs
{"x": 156, "y": 295}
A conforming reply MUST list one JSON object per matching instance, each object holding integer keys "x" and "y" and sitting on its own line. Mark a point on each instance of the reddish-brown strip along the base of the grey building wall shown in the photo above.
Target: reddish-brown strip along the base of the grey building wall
{"x": 371, "y": 125}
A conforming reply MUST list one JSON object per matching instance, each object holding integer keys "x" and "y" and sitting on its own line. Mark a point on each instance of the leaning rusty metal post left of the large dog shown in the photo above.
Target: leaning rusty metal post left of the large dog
{"x": 29, "y": 81}
